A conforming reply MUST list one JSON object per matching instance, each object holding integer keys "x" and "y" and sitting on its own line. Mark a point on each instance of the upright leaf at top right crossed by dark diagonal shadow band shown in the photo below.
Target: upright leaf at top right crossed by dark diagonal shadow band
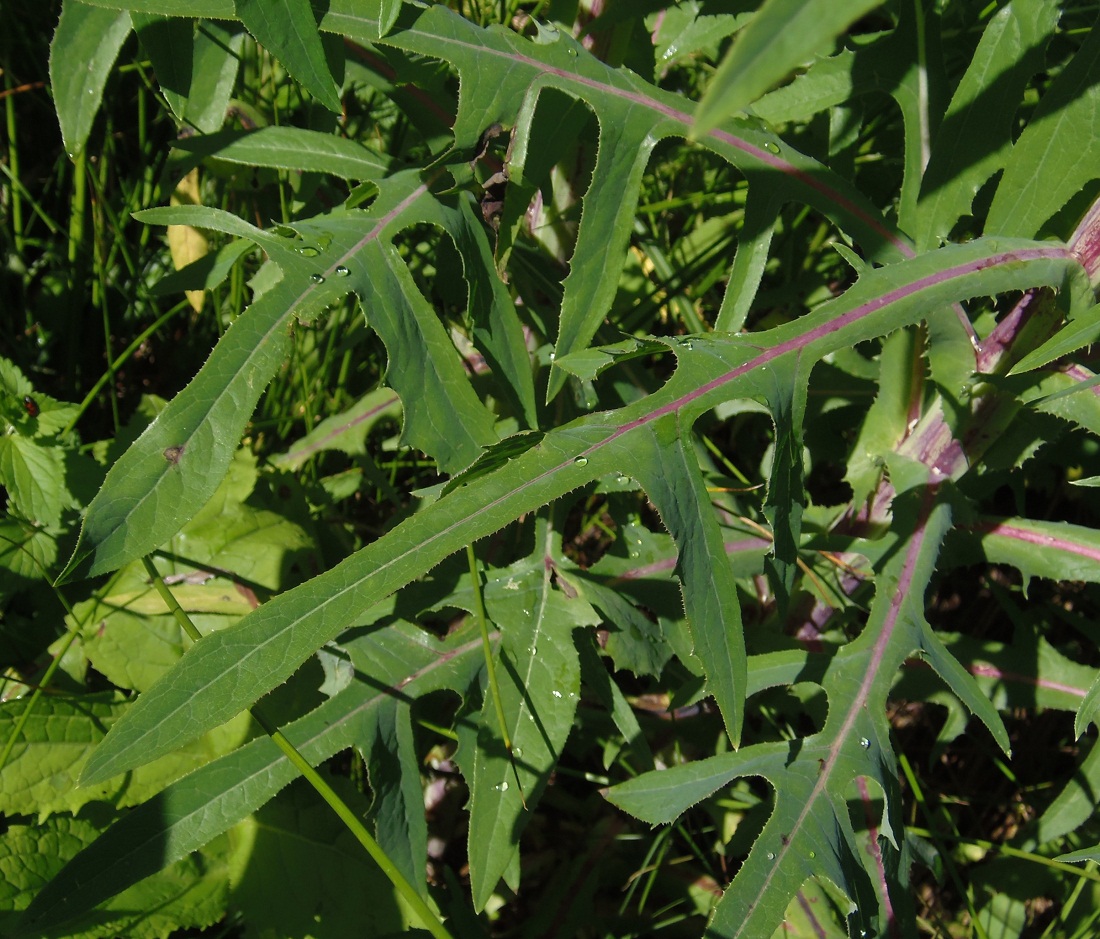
{"x": 976, "y": 136}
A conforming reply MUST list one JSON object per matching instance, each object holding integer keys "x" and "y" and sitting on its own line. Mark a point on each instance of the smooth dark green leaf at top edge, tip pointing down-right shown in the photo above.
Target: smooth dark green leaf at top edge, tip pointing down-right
{"x": 288, "y": 29}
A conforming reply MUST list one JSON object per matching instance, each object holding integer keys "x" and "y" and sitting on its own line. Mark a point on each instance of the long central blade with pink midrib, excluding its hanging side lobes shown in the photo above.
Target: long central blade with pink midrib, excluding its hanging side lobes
{"x": 226, "y": 672}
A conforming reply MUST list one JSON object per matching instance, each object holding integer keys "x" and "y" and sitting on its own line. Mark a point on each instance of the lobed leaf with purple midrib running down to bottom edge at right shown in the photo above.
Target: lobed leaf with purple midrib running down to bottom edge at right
{"x": 810, "y": 833}
